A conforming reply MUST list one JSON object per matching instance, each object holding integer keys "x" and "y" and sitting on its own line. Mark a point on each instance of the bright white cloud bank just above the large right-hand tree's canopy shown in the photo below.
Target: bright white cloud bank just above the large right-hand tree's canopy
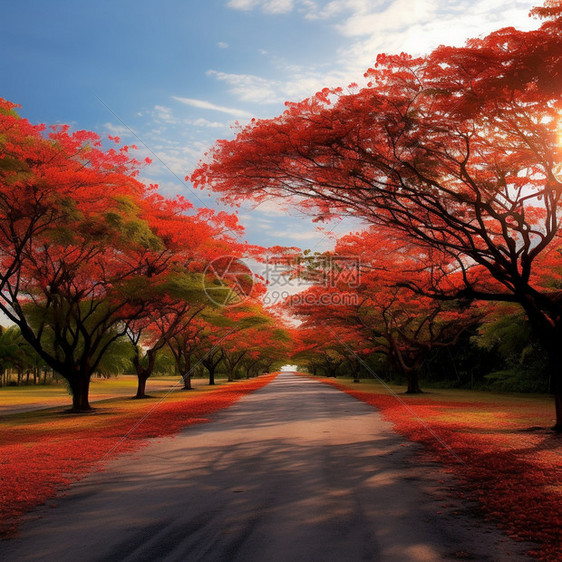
{"x": 370, "y": 27}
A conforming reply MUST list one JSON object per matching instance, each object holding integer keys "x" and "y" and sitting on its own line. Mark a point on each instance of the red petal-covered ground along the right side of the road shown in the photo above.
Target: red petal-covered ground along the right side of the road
{"x": 497, "y": 446}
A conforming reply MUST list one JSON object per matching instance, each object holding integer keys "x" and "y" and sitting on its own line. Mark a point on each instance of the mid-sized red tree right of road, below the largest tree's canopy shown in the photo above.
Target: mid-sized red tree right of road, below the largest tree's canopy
{"x": 373, "y": 310}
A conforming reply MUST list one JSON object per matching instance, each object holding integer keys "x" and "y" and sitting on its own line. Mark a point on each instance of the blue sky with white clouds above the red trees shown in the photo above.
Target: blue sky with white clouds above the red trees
{"x": 172, "y": 76}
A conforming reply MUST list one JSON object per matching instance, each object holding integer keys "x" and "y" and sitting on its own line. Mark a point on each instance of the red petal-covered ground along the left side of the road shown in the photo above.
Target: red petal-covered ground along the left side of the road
{"x": 43, "y": 452}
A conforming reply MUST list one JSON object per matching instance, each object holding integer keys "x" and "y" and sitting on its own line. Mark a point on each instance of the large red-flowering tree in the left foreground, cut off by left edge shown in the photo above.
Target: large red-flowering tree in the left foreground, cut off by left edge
{"x": 81, "y": 239}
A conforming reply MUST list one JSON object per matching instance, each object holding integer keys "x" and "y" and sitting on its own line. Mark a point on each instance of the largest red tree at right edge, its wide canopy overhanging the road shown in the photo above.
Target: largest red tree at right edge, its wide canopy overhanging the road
{"x": 459, "y": 150}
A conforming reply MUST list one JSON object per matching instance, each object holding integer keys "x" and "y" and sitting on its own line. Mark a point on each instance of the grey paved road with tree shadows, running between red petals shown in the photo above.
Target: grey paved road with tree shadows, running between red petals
{"x": 296, "y": 471}
